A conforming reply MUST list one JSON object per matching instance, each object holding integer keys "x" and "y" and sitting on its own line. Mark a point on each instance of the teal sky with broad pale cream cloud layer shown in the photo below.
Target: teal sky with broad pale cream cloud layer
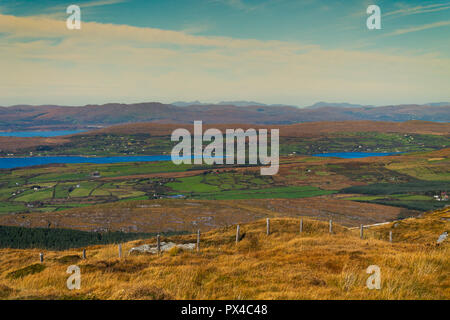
{"x": 294, "y": 52}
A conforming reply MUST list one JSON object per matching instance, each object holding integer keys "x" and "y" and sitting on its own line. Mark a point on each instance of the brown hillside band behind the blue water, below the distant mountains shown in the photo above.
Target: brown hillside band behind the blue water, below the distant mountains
{"x": 159, "y": 134}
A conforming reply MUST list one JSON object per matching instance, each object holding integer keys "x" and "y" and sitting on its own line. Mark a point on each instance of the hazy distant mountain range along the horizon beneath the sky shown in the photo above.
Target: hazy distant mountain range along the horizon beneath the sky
{"x": 24, "y": 117}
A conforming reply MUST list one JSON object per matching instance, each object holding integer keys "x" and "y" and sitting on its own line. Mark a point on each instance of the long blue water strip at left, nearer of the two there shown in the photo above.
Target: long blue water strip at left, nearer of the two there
{"x": 8, "y": 163}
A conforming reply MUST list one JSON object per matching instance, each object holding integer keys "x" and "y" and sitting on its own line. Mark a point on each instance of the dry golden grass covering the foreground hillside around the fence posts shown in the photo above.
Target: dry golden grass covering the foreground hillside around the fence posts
{"x": 284, "y": 265}
